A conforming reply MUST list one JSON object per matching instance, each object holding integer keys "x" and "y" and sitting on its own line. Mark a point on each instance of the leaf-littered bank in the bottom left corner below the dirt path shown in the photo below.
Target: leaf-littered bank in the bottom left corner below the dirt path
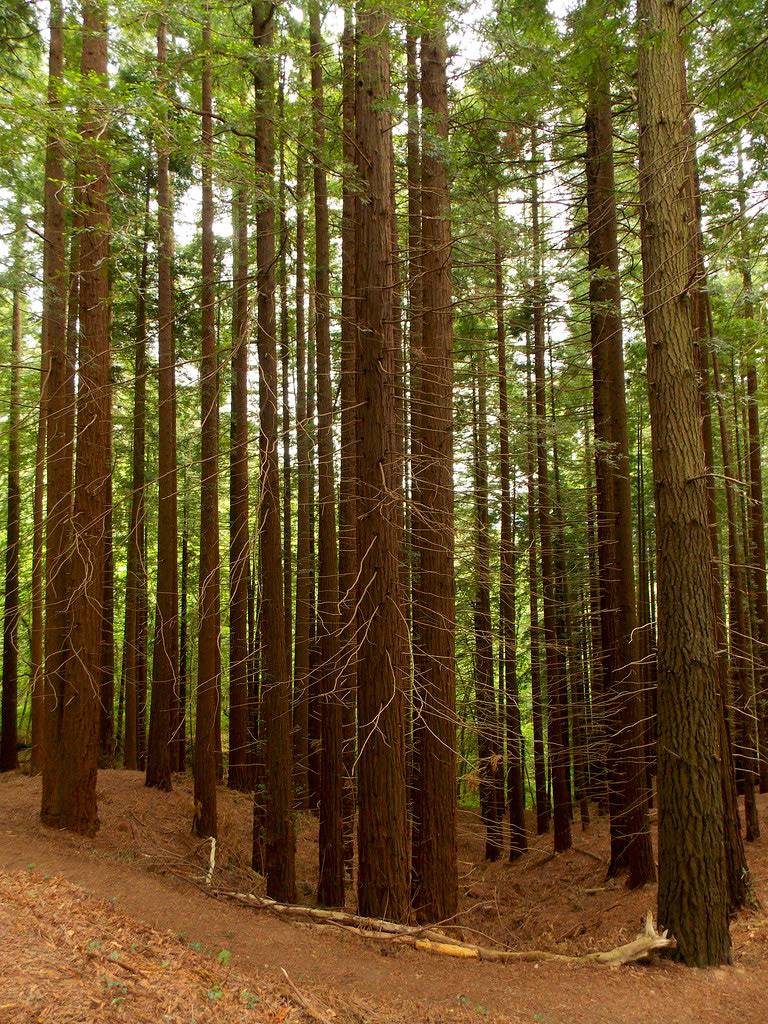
{"x": 66, "y": 957}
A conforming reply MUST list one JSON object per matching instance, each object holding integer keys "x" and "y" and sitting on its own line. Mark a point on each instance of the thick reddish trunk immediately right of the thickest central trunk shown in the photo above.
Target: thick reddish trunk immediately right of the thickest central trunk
{"x": 435, "y": 855}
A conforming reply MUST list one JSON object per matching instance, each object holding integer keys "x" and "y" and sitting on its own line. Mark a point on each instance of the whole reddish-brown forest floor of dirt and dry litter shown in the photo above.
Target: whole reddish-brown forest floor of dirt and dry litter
{"x": 120, "y": 928}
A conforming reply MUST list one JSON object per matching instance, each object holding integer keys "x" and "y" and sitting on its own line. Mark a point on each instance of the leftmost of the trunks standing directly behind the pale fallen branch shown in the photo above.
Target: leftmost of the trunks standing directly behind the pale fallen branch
{"x": 276, "y": 701}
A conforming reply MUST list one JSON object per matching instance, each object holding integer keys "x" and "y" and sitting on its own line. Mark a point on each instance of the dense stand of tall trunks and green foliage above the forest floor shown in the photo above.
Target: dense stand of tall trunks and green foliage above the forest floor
{"x": 383, "y": 393}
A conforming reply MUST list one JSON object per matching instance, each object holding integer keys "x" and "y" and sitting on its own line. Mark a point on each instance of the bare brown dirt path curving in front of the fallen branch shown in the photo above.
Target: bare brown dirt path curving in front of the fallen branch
{"x": 416, "y": 987}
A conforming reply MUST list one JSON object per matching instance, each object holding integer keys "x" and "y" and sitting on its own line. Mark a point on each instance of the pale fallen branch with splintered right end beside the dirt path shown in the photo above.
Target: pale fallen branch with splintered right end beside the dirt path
{"x": 430, "y": 941}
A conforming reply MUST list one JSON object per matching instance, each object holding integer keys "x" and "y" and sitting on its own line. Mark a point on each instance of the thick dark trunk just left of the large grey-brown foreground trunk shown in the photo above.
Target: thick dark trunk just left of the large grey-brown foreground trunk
{"x": 630, "y": 836}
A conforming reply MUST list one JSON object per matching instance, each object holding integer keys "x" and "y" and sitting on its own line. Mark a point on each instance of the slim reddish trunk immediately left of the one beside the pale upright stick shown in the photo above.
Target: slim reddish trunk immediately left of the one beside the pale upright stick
{"x": 165, "y": 652}
